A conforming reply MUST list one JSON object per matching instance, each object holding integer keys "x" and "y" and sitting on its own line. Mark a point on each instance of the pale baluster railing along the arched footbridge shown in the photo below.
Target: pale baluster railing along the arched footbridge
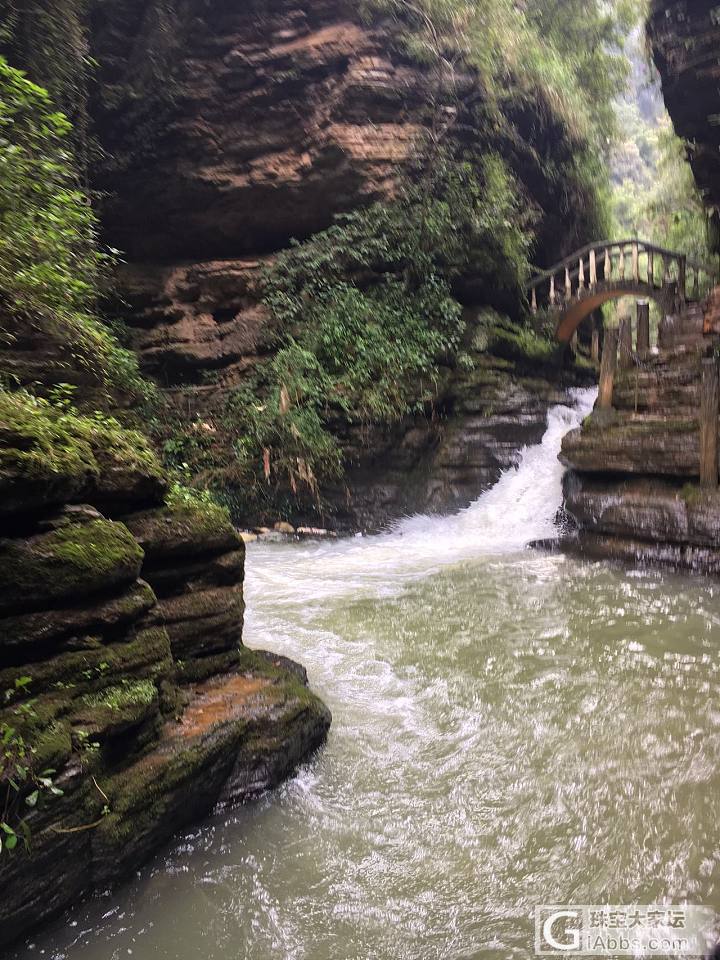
{"x": 633, "y": 262}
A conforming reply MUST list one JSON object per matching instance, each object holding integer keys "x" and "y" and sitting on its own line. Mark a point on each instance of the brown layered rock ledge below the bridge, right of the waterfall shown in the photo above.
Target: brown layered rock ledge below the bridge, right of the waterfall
{"x": 633, "y": 491}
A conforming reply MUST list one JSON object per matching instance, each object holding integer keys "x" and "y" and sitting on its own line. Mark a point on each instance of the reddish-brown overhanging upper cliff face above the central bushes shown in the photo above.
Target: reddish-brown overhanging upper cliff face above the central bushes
{"x": 259, "y": 122}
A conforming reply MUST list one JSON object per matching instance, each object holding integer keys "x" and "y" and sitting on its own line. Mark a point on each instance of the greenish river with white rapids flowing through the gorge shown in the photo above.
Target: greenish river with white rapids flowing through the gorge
{"x": 510, "y": 728}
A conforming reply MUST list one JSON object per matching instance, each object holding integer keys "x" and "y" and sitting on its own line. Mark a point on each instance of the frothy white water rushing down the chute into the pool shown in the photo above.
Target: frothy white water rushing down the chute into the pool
{"x": 520, "y": 508}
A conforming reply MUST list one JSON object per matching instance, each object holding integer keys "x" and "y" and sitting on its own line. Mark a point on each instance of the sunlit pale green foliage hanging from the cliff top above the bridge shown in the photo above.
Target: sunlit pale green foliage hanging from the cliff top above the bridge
{"x": 561, "y": 62}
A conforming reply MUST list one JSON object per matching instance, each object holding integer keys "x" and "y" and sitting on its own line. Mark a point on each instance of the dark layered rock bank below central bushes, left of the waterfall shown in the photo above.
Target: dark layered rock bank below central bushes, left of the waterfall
{"x": 484, "y": 417}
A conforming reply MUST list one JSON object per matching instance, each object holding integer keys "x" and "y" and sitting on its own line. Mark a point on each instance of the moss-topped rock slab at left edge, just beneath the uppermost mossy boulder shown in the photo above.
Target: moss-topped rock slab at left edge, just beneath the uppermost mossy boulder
{"x": 77, "y": 559}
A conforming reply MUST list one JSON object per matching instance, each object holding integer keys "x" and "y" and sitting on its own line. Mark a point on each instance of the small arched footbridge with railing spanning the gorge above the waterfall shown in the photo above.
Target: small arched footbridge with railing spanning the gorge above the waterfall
{"x": 610, "y": 269}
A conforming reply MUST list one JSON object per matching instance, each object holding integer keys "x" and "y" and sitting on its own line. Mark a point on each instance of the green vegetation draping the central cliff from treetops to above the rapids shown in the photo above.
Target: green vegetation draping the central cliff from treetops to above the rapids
{"x": 368, "y": 309}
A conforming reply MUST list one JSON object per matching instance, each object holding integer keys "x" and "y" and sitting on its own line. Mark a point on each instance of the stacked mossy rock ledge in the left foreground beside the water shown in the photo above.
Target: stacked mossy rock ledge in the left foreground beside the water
{"x": 124, "y": 608}
